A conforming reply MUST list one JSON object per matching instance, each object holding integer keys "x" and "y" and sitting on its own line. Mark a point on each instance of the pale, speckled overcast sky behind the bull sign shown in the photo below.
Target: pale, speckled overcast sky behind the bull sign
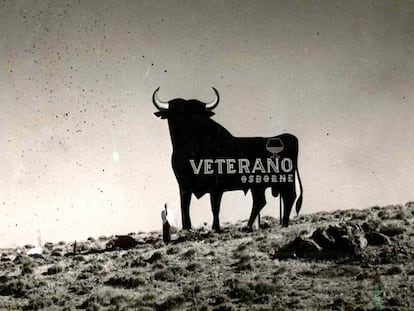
{"x": 83, "y": 155}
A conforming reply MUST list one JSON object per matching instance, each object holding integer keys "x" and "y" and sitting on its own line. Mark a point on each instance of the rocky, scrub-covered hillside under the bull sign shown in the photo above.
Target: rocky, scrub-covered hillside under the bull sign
{"x": 342, "y": 260}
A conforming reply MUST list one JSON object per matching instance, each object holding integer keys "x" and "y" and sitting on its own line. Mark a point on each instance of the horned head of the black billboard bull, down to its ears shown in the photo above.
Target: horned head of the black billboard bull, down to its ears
{"x": 168, "y": 108}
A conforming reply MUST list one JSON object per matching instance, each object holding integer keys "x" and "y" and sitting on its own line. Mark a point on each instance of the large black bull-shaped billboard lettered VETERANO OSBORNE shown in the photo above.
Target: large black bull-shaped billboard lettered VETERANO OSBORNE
{"x": 208, "y": 159}
